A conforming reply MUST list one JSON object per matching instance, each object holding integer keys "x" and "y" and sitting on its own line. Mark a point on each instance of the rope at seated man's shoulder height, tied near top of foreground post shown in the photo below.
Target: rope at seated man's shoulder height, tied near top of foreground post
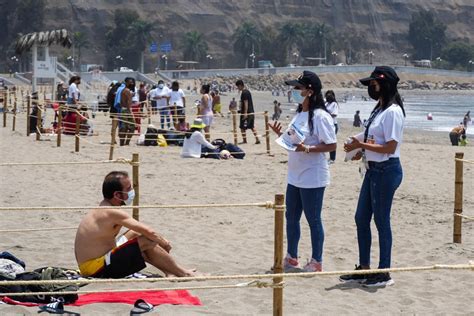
{"x": 267, "y": 205}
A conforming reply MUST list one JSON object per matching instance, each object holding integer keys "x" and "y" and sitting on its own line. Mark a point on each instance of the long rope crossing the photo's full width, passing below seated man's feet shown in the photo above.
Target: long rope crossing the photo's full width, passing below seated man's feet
{"x": 435, "y": 267}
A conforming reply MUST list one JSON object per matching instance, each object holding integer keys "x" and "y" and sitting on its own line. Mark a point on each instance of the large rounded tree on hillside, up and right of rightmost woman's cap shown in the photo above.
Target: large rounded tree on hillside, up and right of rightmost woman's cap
{"x": 426, "y": 34}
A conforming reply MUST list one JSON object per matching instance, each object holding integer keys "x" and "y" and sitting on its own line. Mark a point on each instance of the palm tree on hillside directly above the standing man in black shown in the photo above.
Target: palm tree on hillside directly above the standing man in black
{"x": 247, "y": 40}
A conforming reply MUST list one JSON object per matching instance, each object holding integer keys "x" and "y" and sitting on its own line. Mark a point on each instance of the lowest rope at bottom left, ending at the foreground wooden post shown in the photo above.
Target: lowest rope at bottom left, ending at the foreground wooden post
{"x": 254, "y": 284}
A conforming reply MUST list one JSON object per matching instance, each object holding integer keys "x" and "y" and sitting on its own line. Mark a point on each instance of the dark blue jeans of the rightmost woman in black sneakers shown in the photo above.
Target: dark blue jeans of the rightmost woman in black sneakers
{"x": 376, "y": 196}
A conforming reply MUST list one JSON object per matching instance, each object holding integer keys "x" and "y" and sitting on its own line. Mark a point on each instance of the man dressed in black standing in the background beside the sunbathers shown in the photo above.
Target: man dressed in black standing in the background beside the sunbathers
{"x": 247, "y": 112}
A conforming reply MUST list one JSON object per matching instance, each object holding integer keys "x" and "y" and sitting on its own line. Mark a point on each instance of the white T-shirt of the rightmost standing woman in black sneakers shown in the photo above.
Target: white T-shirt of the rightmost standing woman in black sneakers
{"x": 387, "y": 125}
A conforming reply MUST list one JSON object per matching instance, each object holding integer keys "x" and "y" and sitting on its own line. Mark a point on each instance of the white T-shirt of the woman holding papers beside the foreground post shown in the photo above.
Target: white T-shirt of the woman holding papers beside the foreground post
{"x": 311, "y": 170}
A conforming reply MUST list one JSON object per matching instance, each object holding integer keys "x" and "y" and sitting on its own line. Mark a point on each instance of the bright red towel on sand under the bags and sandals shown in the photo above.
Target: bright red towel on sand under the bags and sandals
{"x": 180, "y": 297}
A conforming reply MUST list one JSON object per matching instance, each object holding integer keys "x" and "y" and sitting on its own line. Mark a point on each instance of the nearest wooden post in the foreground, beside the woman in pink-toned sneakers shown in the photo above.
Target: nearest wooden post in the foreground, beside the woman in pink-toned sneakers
{"x": 278, "y": 254}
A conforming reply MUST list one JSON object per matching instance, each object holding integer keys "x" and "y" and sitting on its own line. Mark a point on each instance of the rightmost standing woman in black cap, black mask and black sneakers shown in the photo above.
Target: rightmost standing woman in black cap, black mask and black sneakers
{"x": 379, "y": 147}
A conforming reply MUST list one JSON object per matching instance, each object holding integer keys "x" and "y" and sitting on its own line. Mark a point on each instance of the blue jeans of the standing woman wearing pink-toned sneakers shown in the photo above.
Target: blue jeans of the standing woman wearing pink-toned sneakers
{"x": 311, "y": 200}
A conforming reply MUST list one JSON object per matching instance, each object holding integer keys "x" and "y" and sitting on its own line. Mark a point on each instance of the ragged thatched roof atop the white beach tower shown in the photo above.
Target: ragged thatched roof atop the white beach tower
{"x": 25, "y": 42}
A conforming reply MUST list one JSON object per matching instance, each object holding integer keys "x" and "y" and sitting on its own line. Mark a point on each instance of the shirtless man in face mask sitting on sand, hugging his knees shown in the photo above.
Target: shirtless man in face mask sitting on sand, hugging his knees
{"x": 99, "y": 254}
